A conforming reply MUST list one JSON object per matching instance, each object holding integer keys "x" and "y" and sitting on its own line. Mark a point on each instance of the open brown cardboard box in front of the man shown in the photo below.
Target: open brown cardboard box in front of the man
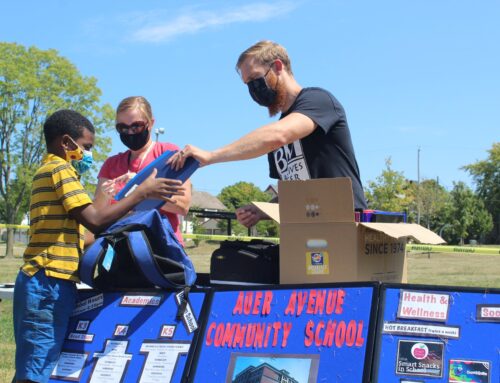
{"x": 321, "y": 242}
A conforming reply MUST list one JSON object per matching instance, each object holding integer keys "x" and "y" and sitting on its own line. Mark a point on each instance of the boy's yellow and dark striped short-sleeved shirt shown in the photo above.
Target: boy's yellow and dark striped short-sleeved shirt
{"x": 56, "y": 239}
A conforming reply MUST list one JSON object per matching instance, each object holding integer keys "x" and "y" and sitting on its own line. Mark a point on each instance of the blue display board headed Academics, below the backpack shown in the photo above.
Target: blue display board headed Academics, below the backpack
{"x": 129, "y": 337}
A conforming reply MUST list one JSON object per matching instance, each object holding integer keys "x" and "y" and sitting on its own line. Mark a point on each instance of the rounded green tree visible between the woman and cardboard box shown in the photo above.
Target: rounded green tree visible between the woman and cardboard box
{"x": 241, "y": 194}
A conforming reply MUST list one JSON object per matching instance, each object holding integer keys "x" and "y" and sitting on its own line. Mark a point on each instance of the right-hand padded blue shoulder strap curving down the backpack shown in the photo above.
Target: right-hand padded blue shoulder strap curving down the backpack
{"x": 147, "y": 261}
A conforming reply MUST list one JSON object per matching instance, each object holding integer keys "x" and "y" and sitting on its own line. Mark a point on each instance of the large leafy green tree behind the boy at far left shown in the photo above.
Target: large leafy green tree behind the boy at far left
{"x": 33, "y": 84}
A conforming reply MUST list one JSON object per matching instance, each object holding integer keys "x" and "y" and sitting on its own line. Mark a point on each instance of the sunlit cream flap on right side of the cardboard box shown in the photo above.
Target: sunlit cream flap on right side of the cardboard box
{"x": 401, "y": 230}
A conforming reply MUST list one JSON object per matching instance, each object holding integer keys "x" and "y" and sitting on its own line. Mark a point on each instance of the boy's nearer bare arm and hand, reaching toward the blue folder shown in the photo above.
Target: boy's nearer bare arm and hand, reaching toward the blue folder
{"x": 96, "y": 219}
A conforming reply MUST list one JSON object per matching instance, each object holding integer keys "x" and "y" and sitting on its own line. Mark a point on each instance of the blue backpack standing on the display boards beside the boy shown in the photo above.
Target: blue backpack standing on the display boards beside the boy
{"x": 138, "y": 251}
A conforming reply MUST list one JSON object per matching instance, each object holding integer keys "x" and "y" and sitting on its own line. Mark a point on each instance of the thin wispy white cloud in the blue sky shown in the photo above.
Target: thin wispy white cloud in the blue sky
{"x": 193, "y": 21}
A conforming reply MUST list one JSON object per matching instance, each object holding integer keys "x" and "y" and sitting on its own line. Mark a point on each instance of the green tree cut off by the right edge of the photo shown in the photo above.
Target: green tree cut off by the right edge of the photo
{"x": 486, "y": 175}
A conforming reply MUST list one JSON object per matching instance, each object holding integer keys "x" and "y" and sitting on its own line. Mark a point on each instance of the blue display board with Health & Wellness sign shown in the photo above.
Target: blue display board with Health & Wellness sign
{"x": 438, "y": 334}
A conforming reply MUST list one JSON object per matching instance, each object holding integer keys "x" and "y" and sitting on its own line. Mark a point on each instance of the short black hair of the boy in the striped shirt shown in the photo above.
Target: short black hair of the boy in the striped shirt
{"x": 68, "y": 122}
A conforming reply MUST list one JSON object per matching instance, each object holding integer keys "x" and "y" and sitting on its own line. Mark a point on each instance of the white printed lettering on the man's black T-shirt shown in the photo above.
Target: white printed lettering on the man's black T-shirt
{"x": 291, "y": 162}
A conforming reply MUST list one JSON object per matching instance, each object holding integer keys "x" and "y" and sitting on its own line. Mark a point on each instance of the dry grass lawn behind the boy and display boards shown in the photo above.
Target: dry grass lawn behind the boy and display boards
{"x": 437, "y": 269}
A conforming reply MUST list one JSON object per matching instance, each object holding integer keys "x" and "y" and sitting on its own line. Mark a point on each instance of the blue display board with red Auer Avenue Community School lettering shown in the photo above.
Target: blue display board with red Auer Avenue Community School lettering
{"x": 294, "y": 334}
